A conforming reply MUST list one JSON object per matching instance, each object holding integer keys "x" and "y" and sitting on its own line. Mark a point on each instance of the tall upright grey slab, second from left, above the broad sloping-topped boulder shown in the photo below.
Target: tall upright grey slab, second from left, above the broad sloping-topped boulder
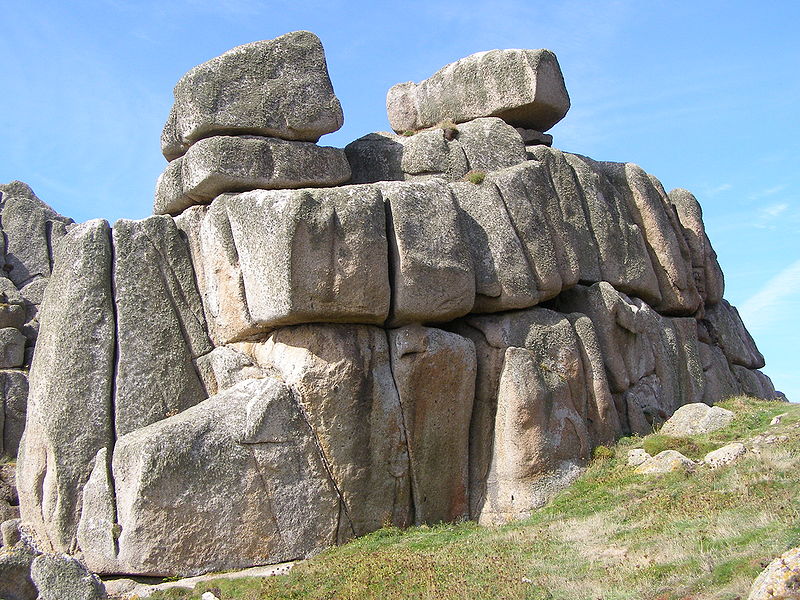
{"x": 161, "y": 325}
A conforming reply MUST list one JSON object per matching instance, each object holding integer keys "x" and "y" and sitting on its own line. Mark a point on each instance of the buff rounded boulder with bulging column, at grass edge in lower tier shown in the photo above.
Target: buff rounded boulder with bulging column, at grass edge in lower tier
{"x": 542, "y": 403}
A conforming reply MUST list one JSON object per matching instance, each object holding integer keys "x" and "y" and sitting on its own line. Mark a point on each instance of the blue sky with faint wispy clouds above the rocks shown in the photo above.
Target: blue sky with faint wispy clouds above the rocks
{"x": 704, "y": 95}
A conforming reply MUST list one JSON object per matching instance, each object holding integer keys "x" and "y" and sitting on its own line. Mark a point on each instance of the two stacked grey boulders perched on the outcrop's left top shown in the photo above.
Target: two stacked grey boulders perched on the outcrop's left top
{"x": 250, "y": 119}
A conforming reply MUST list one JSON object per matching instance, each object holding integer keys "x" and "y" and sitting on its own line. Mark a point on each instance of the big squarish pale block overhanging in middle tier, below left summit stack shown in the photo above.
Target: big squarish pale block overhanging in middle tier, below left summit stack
{"x": 279, "y": 257}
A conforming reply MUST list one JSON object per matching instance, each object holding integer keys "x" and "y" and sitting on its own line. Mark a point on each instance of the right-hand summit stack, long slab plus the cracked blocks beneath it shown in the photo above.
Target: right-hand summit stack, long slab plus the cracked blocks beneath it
{"x": 479, "y": 114}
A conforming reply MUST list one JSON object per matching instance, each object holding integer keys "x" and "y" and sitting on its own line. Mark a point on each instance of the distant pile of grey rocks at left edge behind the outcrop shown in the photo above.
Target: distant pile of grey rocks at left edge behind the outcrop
{"x": 30, "y": 230}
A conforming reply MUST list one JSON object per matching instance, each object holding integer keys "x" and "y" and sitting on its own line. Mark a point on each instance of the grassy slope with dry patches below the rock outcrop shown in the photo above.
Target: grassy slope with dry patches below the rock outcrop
{"x": 613, "y": 535}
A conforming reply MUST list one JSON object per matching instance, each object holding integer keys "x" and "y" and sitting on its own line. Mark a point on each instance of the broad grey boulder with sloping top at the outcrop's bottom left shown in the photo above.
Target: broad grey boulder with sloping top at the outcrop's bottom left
{"x": 241, "y": 477}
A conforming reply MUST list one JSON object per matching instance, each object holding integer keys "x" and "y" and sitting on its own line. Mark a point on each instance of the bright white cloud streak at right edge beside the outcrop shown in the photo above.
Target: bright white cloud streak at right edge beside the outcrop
{"x": 774, "y": 301}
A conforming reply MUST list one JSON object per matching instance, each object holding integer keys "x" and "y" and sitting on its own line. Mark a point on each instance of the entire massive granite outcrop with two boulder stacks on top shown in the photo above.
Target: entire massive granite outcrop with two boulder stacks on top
{"x": 271, "y": 371}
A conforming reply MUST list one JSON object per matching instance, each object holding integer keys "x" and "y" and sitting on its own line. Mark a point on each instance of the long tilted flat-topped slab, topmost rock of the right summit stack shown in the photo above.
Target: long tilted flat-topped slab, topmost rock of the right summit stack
{"x": 525, "y": 88}
